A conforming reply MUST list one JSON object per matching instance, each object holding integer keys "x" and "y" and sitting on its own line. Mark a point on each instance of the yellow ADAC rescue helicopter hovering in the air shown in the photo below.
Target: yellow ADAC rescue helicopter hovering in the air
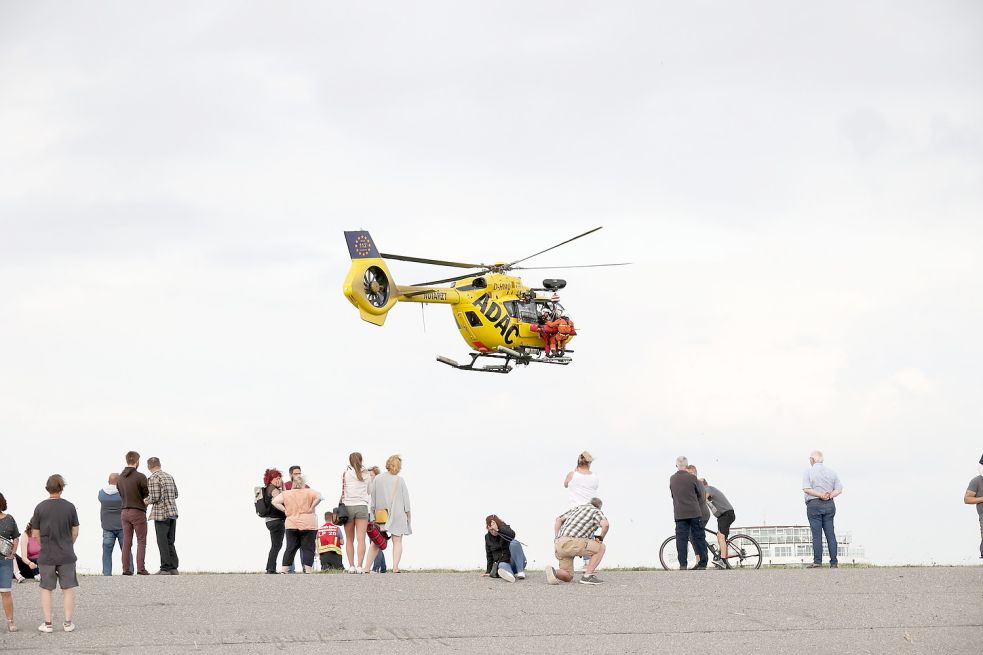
{"x": 499, "y": 318}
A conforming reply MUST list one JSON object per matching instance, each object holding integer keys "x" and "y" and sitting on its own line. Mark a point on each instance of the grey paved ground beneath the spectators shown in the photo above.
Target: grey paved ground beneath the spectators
{"x": 902, "y": 610}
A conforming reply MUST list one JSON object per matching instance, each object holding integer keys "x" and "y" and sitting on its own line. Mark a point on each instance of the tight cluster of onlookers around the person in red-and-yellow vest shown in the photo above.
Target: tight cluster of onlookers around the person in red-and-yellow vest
{"x": 373, "y": 512}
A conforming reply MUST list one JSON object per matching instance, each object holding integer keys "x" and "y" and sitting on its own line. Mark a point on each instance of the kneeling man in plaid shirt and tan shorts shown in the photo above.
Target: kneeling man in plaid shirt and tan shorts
{"x": 575, "y": 531}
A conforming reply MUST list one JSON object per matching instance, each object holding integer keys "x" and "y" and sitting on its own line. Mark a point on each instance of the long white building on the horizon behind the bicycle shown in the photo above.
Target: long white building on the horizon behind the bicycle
{"x": 791, "y": 545}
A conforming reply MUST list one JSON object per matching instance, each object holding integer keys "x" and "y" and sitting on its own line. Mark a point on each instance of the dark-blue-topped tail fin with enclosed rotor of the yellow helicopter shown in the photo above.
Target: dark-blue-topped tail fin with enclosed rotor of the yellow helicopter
{"x": 369, "y": 284}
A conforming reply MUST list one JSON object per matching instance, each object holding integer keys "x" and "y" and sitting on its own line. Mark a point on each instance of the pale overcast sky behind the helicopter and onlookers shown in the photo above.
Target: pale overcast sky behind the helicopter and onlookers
{"x": 800, "y": 186}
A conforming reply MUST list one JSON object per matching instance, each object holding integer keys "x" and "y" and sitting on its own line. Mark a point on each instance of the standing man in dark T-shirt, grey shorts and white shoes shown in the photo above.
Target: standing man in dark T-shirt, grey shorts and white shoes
{"x": 55, "y": 526}
